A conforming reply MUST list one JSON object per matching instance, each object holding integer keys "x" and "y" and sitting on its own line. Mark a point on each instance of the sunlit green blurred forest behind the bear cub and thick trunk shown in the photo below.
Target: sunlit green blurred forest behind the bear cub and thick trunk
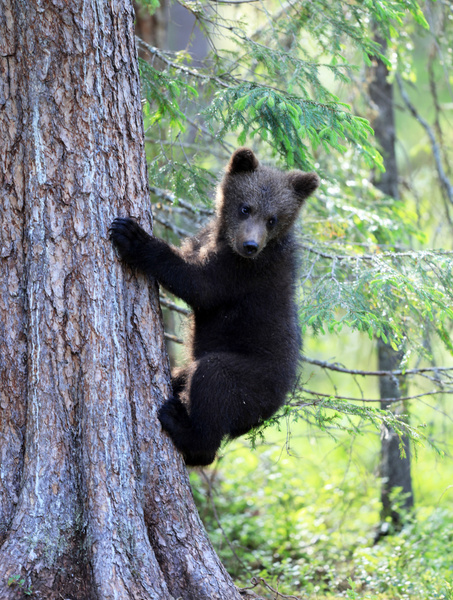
{"x": 348, "y": 493}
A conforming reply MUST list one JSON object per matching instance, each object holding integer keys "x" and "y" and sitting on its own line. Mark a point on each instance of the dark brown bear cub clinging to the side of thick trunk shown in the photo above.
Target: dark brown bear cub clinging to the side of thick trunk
{"x": 238, "y": 274}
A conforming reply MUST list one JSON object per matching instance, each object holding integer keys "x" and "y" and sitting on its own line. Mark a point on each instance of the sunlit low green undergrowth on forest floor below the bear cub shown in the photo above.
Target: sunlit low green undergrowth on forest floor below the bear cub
{"x": 308, "y": 526}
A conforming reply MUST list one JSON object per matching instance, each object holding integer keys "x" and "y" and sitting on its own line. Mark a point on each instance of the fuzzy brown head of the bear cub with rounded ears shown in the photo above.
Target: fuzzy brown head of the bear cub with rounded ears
{"x": 258, "y": 204}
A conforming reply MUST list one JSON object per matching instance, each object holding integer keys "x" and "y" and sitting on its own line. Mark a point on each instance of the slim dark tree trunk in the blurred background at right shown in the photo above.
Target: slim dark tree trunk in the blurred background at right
{"x": 395, "y": 468}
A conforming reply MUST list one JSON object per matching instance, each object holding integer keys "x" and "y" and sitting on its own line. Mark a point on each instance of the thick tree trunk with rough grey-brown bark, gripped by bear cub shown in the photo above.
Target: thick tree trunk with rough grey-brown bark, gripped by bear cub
{"x": 95, "y": 502}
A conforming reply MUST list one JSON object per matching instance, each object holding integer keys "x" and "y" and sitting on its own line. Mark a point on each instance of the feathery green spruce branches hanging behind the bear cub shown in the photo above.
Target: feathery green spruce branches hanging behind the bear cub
{"x": 285, "y": 86}
